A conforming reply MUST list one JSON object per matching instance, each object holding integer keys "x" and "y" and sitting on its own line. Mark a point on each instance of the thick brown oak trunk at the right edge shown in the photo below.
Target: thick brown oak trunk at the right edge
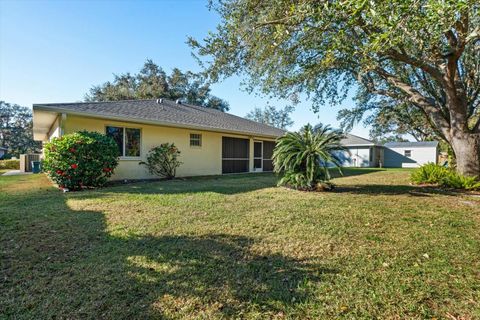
{"x": 467, "y": 153}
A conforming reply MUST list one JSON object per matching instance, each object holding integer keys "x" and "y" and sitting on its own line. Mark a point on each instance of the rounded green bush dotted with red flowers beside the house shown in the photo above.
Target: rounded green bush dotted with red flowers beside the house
{"x": 81, "y": 159}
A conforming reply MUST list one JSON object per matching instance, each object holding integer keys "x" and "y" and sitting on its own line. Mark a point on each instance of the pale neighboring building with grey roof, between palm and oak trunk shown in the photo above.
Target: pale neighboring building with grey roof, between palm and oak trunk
{"x": 366, "y": 153}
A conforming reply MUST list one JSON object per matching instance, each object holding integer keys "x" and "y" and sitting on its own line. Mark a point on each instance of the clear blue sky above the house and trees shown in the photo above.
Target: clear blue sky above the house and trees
{"x": 54, "y": 51}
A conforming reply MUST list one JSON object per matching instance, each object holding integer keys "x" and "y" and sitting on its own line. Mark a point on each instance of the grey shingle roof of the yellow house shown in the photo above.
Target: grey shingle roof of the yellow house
{"x": 166, "y": 113}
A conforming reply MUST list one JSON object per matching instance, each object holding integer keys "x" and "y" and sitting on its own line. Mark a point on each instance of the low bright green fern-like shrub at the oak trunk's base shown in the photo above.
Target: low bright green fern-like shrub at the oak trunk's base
{"x": 431, "y": 173}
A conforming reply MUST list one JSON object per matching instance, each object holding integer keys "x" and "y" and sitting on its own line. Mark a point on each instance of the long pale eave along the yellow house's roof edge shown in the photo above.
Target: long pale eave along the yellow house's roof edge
{"x": 42, "y": 107}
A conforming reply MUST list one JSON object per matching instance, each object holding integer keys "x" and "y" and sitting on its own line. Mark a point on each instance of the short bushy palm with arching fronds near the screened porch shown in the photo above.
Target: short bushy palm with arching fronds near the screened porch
{"x": 305, "y": 156}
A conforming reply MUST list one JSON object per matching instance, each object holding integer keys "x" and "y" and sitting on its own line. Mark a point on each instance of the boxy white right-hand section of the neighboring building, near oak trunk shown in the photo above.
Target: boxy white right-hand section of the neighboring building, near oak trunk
{"x": 410, "y": 154}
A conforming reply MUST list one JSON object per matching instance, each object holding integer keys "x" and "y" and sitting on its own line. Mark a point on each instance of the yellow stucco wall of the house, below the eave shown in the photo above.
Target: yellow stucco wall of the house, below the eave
{"x": 204, "y": 160}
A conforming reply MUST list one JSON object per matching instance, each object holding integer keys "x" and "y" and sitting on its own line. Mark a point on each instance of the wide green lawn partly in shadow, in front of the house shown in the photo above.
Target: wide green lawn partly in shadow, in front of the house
{"x": 239, "y": 247}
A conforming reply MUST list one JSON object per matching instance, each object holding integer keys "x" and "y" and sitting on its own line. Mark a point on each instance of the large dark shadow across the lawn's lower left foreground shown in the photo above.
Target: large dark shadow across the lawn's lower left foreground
{"x": 58, "y": 262}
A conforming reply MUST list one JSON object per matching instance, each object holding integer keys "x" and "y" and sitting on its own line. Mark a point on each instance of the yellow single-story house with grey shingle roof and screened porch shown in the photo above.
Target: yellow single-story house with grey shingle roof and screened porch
{"x": 211, "y": 142}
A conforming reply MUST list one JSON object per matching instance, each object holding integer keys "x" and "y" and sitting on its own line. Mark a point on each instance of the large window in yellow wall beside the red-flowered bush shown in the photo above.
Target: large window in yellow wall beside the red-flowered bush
{"x": 127, "y": 139}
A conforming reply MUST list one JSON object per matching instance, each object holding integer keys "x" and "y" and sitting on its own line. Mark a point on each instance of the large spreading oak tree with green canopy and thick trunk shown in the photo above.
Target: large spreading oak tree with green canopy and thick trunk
{"x": 420, "y": 53}
